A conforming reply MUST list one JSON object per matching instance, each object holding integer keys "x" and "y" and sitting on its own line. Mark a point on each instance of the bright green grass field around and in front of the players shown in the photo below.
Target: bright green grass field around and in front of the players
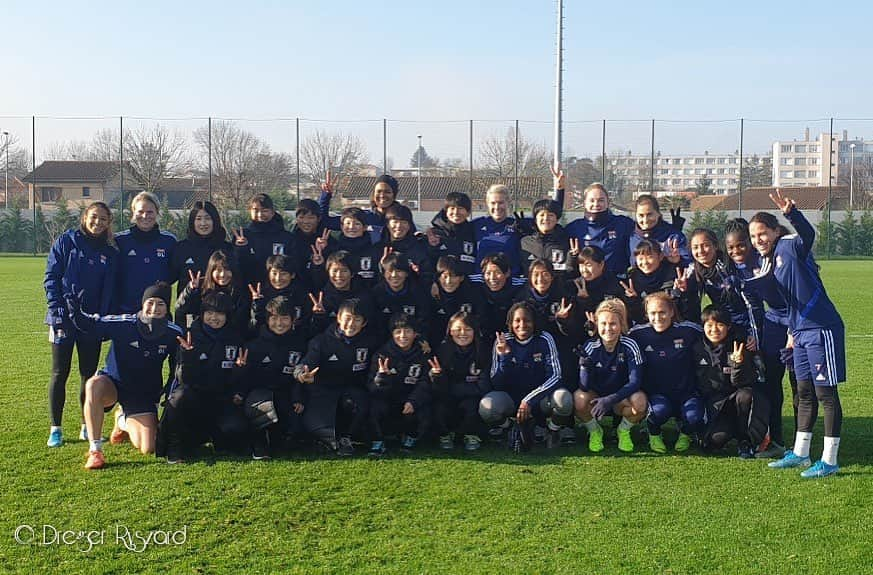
{"x": 566, "y": 512}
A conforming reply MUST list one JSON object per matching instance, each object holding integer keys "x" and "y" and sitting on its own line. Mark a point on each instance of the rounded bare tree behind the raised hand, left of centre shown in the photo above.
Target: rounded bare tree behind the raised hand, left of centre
{"x": 341, "y": 153}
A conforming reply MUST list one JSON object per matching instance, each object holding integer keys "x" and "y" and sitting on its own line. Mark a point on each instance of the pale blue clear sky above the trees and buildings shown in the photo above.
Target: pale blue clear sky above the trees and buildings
{"x": 447, "y": 60}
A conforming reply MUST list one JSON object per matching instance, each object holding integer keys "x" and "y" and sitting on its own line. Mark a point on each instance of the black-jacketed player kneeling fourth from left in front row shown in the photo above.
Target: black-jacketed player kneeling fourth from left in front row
{"x": 334, "y": 373}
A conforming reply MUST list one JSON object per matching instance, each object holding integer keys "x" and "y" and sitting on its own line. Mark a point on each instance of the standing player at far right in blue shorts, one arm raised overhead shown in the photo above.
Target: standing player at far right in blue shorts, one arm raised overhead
{"x": 816, "y": 328}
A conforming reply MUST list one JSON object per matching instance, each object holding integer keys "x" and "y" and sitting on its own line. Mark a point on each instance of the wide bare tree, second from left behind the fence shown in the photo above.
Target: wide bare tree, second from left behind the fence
{"x": 242, "y": 164}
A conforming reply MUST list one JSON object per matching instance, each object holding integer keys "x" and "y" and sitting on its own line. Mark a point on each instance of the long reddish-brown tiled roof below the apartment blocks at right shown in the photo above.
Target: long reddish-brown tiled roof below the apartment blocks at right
{"x": 756, "y": 199}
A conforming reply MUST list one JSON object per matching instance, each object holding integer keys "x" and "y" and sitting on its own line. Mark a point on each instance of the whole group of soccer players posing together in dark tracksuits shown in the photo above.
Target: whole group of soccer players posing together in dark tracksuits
{"x": 359, "y": 328}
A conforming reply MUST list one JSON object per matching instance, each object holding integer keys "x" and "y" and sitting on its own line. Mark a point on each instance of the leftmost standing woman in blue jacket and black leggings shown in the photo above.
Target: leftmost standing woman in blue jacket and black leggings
{"x": 82, "y": 261}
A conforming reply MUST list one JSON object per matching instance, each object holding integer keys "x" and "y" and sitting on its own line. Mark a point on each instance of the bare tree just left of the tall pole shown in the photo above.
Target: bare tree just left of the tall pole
{"x": 497, "y": 157}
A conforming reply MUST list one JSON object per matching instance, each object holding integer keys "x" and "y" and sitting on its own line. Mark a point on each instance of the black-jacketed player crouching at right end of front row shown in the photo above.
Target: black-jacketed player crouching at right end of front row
{"x": 726, "y": 379}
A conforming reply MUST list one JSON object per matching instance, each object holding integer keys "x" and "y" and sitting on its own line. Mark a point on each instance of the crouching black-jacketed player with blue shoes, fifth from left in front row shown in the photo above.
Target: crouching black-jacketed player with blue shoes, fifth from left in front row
{"x": 398, "y": 386}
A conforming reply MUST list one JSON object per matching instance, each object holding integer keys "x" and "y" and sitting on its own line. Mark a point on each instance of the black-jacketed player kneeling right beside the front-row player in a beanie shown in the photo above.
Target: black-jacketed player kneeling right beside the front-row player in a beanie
{"x": 200, "y": 404}
